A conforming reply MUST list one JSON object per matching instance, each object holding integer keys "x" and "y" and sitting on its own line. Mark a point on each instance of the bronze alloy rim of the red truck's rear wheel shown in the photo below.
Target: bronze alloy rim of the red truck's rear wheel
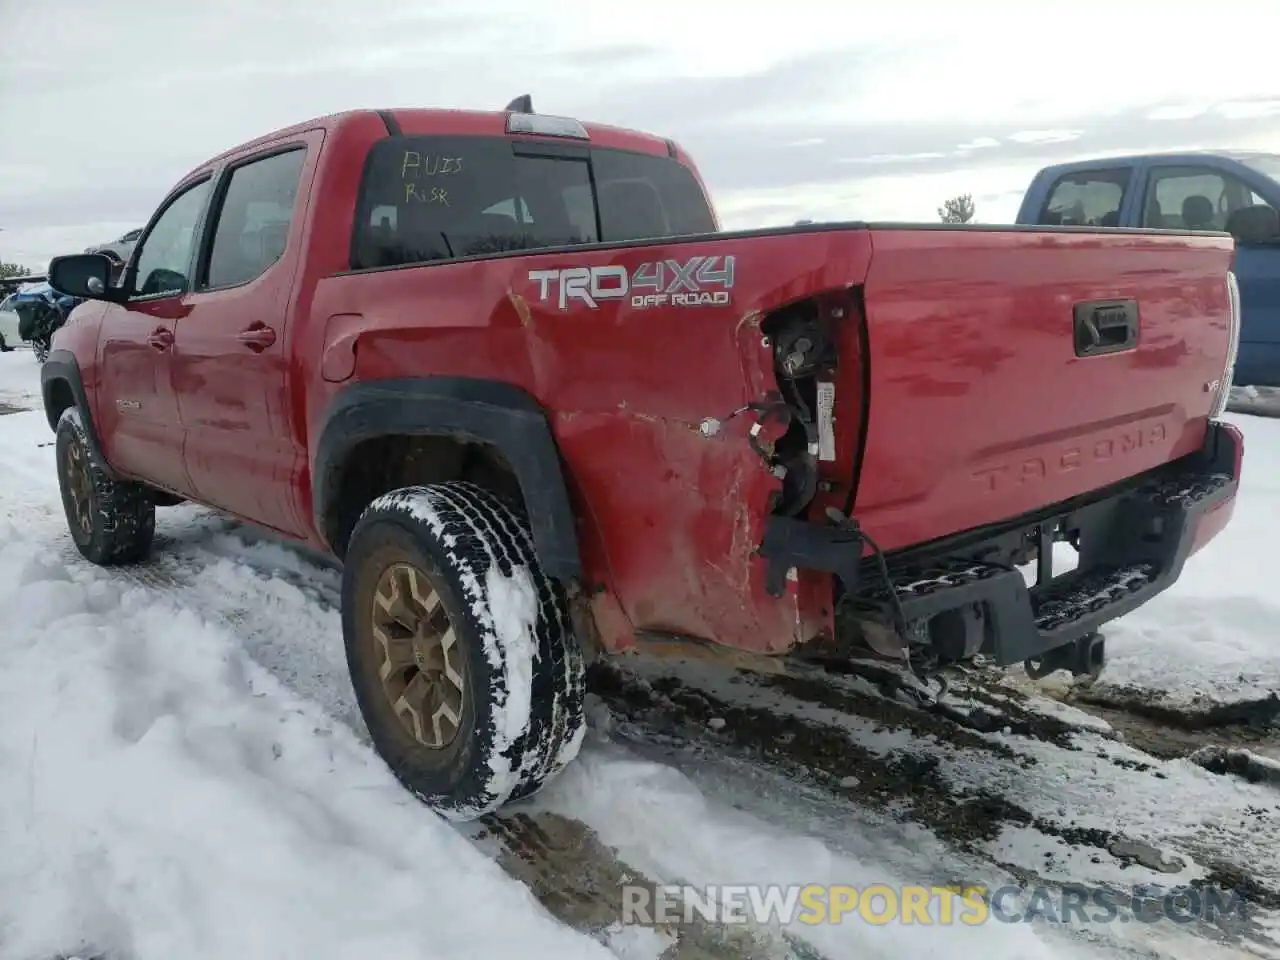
{"x": 422, "y": 664}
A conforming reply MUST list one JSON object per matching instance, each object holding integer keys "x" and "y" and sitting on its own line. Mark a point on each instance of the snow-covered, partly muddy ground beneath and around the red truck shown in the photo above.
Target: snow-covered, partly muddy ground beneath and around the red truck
{"x": 184, "y": 772}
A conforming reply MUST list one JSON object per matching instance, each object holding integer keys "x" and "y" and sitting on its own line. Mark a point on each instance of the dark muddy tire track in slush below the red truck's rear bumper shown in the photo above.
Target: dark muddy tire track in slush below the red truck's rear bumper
{"x": 1037, "y": 797}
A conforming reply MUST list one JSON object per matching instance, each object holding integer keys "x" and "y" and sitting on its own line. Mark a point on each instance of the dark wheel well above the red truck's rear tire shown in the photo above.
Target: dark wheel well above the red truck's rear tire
{"x": 385, "y": 464}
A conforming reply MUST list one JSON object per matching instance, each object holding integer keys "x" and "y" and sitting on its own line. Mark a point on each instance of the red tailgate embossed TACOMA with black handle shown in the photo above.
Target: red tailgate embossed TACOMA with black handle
{"x": 1016, "y": 369}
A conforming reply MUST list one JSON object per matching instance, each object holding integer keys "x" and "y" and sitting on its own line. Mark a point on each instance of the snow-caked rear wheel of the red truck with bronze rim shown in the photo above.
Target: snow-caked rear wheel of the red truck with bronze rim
{"x": 461, "y": 651}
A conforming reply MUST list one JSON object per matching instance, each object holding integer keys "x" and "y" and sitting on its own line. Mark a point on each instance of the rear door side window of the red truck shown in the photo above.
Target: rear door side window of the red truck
{"x": 254, "y": 220}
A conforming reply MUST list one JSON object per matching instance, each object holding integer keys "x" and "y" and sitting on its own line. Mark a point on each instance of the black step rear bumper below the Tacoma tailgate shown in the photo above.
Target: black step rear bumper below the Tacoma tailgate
{"x": 1133, "y": 542}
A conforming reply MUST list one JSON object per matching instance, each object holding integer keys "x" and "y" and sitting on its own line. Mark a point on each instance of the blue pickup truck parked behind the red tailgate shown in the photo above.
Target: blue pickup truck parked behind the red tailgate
{"x": 1232, "y": 193}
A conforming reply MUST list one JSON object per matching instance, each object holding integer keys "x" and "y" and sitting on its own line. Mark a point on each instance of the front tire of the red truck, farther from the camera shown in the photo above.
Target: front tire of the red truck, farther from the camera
{"x": 122, "y": 515}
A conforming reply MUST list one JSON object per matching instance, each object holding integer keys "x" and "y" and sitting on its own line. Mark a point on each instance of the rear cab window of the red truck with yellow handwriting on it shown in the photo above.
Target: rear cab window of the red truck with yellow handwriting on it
{"x": 431, "y": 199}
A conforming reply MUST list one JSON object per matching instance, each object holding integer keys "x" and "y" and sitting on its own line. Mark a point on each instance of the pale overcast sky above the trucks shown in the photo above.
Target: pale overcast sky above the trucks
{"x": 793, "y": 109}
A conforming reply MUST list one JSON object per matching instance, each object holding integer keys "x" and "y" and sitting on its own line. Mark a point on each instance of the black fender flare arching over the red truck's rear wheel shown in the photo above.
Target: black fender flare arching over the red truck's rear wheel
{"x": 486, "y": 412}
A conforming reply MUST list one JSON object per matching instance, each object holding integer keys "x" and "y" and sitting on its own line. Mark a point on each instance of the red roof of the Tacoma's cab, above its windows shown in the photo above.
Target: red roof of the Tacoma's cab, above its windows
{"x": 477, "y": 124}
